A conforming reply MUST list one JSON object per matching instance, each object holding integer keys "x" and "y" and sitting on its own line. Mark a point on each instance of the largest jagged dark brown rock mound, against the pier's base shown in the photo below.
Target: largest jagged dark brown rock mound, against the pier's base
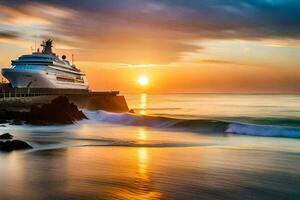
{"x": 59, "y": 111}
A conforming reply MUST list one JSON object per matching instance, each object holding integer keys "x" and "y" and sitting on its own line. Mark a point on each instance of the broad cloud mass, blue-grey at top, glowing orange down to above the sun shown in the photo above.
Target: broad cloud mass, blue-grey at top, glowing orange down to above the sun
{"x": 152, "y": 31}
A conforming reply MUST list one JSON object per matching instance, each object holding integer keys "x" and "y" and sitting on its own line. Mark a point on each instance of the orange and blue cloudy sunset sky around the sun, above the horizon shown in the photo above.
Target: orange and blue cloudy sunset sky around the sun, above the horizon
{"x": 180, "y": 45}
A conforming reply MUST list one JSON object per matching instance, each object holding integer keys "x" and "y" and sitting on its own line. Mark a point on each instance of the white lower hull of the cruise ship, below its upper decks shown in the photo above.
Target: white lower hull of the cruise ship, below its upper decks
{"x": 39, "y": 79}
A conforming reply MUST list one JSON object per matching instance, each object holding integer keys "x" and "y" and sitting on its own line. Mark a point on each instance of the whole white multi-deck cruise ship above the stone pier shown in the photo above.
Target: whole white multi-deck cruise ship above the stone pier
{"x": 45, "y": 69}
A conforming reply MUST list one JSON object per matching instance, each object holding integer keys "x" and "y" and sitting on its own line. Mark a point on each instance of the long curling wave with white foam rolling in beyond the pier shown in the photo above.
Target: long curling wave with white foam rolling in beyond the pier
{"x": 196, "y": 125}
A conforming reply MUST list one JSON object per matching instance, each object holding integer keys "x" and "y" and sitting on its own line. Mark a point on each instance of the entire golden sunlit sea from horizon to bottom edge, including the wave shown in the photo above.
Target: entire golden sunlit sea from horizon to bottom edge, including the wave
{"x": 175, "y": 146}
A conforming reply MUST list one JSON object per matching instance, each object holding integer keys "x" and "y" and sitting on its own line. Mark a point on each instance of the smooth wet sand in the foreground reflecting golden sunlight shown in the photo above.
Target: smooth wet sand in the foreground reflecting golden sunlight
{"x": 150, "y": 173}
